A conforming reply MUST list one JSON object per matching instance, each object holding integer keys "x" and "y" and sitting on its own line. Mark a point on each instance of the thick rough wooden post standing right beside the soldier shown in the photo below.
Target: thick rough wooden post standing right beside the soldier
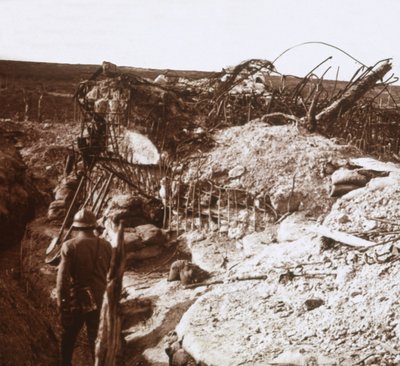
{"x": 108, "y": 342}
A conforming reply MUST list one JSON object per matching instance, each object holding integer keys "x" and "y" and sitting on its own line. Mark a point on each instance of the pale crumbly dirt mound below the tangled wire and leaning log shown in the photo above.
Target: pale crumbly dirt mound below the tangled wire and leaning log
{"x": 272, "y": 160}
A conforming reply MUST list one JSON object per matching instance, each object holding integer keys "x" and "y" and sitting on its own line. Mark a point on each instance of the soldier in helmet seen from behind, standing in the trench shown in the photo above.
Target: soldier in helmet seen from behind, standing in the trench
{"x": 81, "y": 283}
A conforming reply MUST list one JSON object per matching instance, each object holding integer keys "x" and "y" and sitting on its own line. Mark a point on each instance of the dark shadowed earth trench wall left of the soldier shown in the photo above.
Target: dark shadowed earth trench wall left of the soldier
{"x": 27, "y": 335}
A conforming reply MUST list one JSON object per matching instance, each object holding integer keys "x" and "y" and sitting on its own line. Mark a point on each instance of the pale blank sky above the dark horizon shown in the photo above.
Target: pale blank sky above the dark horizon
{"x": 201, "y": 34}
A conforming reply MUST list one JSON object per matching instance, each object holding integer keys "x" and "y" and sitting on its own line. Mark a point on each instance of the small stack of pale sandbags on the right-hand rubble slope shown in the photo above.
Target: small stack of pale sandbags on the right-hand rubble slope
{"x": 346, "y": 180}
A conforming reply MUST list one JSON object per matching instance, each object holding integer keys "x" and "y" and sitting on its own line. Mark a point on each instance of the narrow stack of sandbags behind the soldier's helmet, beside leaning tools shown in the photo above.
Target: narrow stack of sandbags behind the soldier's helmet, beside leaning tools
{"x": 63, "y": 195}
